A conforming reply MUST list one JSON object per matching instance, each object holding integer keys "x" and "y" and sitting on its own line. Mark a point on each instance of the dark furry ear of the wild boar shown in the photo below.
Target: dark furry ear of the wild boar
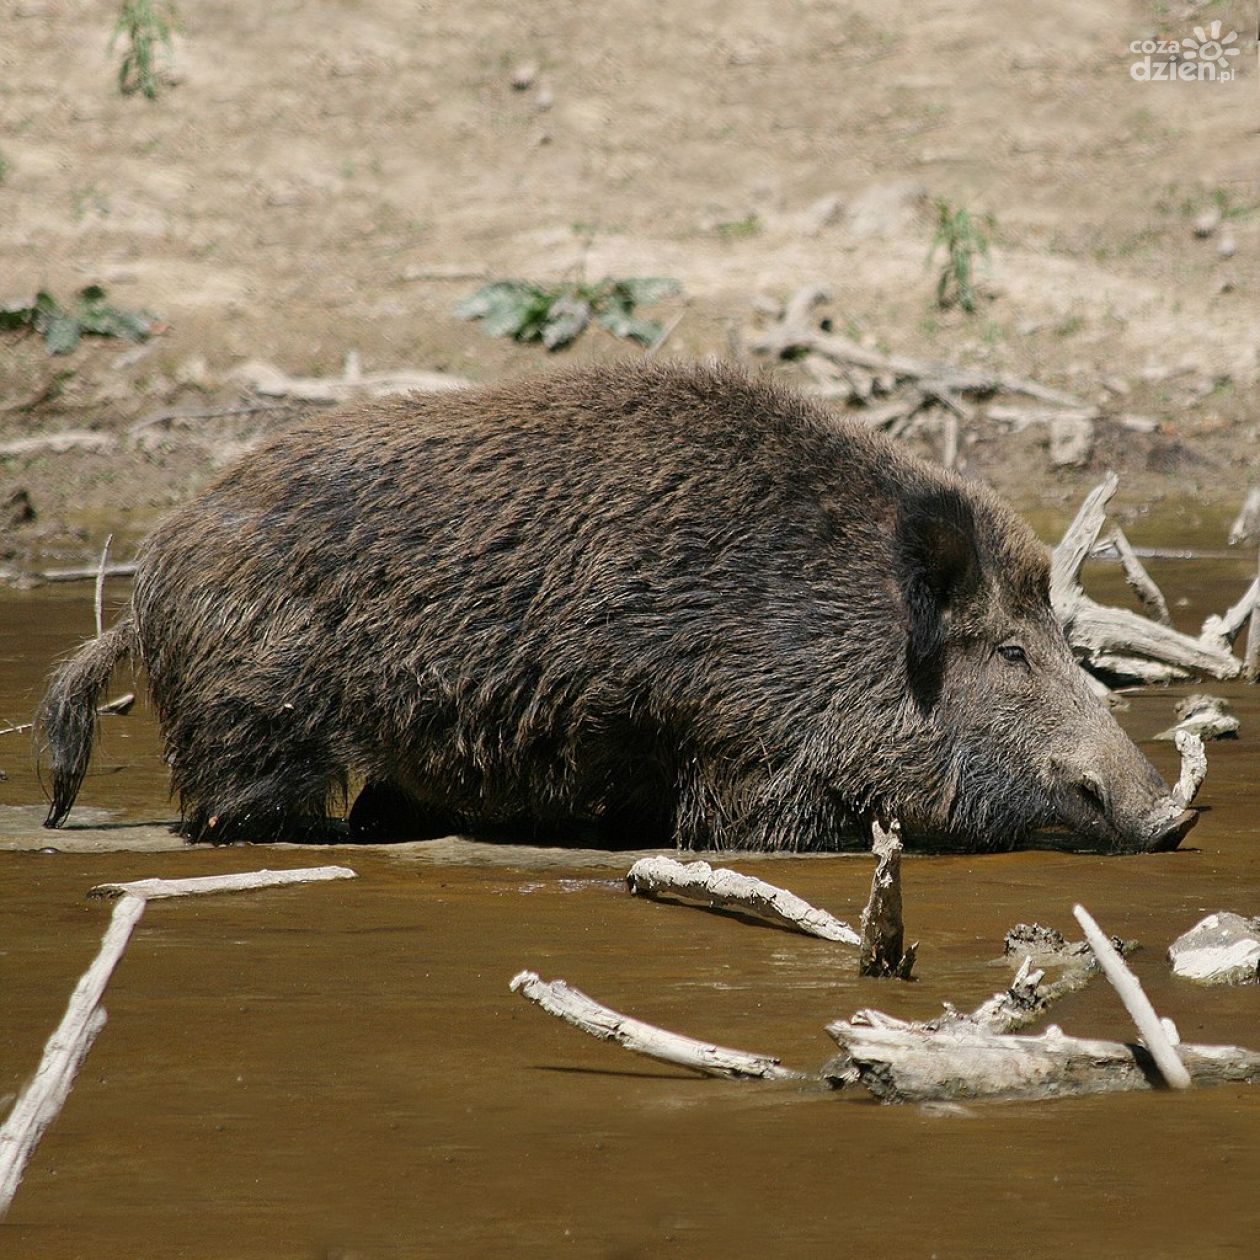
{"x": 938, "y": 570}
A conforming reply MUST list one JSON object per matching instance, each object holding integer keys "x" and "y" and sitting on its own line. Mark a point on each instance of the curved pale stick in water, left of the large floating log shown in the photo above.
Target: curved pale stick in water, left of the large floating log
{"x": 576, "y": 1009}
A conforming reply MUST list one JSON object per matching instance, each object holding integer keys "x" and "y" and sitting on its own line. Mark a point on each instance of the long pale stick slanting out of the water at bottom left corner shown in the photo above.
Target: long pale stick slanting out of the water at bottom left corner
{"x": 45, "y": 1097}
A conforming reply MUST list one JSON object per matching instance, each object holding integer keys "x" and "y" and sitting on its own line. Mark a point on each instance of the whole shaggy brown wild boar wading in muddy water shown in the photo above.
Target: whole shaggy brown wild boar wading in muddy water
{"x": 642, "y": 604}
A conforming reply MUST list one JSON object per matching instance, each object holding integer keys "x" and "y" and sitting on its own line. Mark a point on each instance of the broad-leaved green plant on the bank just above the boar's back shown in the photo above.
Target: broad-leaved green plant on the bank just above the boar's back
{"x": 560, "y": 314}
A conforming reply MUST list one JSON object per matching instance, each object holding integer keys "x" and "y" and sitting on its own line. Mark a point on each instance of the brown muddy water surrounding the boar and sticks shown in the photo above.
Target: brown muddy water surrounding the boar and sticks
{"x": 341, "y": 1070}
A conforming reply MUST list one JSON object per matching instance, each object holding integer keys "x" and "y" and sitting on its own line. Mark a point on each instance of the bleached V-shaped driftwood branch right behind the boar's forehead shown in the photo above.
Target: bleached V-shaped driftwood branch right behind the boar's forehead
{"x": 1117, "y": 641}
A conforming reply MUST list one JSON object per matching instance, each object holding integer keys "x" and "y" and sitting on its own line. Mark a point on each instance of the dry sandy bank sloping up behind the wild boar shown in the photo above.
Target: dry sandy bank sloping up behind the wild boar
{"x": 321, "y": 178}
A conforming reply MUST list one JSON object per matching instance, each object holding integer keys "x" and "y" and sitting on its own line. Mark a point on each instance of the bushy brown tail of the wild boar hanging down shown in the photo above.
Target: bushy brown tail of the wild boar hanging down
{"x": 66, "y": 723}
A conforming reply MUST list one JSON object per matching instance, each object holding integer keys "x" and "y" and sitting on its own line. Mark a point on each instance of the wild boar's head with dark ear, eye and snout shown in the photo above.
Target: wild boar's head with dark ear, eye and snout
{"x": 1019, "y": 739}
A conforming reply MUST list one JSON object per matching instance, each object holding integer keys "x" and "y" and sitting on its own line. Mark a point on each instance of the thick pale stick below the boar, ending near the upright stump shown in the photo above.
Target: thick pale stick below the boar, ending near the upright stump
{"x": 720, "y": 889}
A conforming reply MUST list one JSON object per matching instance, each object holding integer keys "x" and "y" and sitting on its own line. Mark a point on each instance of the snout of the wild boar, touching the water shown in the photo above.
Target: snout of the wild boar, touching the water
{"x": 1133, "y": 808}
